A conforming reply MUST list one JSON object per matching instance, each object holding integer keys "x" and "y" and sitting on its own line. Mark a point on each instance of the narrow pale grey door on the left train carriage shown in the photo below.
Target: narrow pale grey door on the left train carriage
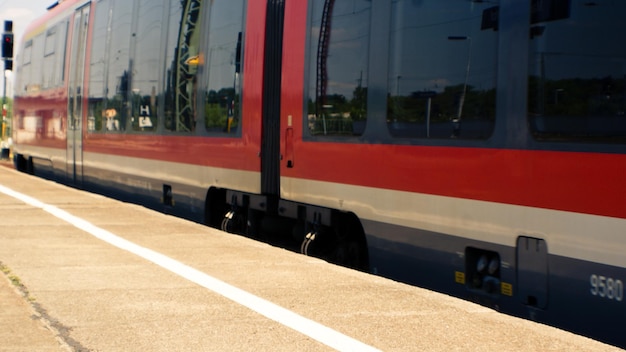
{"x": 75, "y": 95}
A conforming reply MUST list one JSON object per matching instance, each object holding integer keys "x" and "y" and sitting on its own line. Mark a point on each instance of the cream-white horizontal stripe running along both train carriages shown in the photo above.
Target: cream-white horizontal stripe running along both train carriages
{"x": 593, "y": 238}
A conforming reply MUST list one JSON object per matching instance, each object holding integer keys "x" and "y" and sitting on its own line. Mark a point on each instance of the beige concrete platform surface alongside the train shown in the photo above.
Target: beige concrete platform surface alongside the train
{"x": 77, "y": 292}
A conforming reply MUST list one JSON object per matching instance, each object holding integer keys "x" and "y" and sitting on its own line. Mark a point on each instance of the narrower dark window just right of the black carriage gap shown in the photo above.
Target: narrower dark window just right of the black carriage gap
{"x": 340, "y": 36}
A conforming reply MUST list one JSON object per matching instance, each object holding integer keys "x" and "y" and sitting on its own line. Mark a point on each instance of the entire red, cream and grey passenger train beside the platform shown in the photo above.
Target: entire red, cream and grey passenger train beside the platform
{"x": 473, "y": 147}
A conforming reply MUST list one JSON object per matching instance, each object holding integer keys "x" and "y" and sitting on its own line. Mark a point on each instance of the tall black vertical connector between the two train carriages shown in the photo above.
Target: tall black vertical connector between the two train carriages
{"x": 270, "y": 146}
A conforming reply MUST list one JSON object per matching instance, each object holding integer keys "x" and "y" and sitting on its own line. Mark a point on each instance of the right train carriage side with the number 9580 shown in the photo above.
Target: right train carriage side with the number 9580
{"x": 466, "y": 133}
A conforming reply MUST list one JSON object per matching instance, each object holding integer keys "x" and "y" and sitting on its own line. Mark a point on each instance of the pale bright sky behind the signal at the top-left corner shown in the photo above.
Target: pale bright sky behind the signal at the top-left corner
{"x": 22, "y": 13}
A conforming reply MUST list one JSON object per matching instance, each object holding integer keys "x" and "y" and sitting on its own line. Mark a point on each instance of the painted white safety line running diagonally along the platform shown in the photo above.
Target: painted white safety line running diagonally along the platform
{"x": 270, "y": 310}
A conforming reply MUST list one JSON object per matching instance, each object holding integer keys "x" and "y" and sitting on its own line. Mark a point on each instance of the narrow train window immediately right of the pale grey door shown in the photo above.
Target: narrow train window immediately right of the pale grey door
{"x": 96, "y": 120}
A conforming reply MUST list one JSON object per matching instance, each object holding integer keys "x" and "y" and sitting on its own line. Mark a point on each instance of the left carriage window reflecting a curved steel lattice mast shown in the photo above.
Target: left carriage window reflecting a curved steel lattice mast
{"x": 182, "y": 58}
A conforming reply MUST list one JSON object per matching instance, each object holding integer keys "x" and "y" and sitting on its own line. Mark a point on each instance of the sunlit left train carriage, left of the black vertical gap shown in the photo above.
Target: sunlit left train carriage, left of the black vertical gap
{"x": 118, "y": 112}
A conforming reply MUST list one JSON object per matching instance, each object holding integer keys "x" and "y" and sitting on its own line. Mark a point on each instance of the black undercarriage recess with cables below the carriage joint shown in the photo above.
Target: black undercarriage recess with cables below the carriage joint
{"x": 329, "y": 234}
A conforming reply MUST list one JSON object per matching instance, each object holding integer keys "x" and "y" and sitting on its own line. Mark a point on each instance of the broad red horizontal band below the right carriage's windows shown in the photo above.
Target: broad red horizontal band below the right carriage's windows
{"x": 580, "y": 182}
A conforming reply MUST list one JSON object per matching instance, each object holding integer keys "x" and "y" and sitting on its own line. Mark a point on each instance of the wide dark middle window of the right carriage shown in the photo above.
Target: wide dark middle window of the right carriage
{"x": 442, "y": 69}
